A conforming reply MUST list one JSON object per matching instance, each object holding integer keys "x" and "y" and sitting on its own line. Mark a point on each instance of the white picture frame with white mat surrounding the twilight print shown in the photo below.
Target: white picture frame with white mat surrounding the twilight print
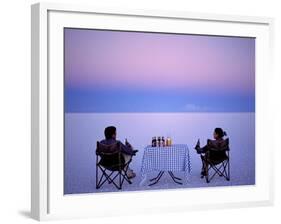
{"x": 47, "y": 199}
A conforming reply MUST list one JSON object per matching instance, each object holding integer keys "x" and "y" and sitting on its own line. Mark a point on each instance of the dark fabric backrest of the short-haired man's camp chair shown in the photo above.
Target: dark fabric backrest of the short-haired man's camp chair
{"x": 111, "y": 155}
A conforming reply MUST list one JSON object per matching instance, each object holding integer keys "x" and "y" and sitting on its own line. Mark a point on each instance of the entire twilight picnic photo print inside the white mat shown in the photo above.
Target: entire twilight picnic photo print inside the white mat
{"x": 157, "y": 111}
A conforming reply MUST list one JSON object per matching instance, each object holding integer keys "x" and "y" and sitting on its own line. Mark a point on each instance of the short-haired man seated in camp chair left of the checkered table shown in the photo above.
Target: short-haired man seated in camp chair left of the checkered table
{"x": 127, "y": 150}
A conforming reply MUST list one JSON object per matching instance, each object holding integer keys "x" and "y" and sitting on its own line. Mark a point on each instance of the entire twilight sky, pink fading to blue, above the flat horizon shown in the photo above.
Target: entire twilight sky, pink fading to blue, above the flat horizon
{"x": 110, "y": 71}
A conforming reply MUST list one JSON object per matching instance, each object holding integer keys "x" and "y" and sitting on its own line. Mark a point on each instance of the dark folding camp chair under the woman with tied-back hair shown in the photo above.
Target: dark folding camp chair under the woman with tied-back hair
{"x": 217, "y": 160}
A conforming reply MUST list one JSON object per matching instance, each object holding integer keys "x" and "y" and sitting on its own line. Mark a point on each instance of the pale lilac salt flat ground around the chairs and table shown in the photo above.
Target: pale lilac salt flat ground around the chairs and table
{"x": 83, "y": 130}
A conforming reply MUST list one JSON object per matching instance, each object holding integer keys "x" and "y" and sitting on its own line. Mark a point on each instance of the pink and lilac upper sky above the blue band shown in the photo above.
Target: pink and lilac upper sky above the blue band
{"x": 98, "y": 58}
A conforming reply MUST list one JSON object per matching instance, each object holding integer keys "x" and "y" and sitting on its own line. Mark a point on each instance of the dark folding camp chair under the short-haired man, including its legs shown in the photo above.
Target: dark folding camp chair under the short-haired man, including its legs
{"x": 111, "y": 163}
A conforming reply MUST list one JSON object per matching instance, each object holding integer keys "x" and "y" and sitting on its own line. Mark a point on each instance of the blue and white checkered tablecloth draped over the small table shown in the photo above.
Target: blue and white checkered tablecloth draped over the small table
{"x": 168, "y": 158}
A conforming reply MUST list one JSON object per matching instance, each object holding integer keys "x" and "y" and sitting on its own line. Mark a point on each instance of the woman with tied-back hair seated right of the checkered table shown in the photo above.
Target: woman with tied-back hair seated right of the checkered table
{"x": 213, "y": 155}
